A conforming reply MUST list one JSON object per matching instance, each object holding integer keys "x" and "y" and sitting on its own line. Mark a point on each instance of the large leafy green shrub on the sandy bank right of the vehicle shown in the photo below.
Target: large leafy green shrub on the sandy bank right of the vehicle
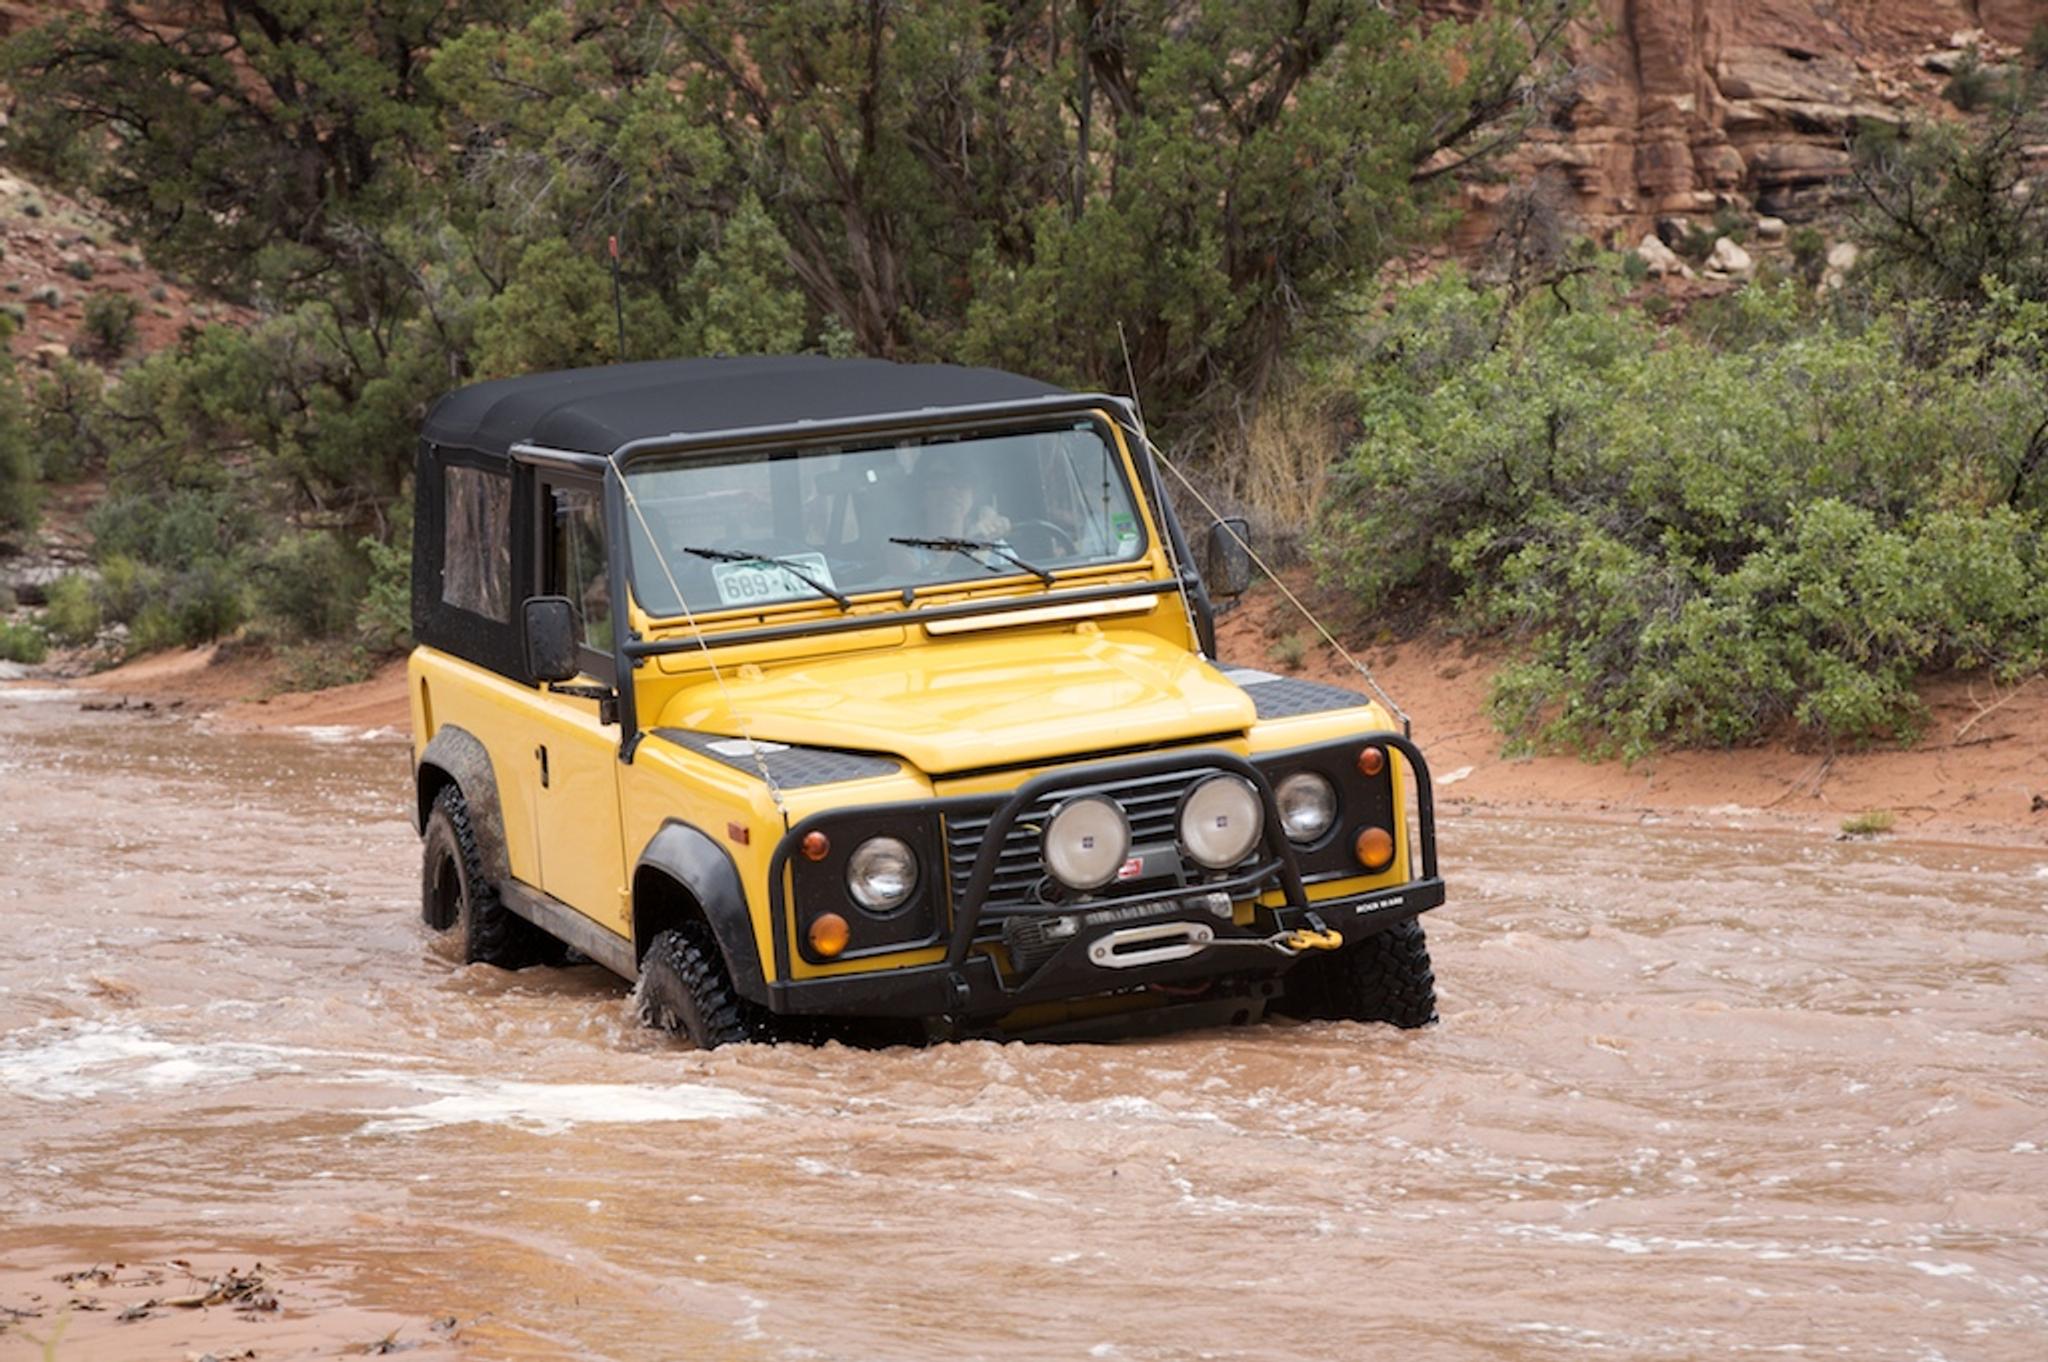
{"x": 1705, "y": 536}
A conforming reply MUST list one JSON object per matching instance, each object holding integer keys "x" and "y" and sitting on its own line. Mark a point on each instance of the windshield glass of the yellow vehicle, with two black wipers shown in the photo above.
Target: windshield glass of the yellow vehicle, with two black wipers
{"x": 982, "y": 505}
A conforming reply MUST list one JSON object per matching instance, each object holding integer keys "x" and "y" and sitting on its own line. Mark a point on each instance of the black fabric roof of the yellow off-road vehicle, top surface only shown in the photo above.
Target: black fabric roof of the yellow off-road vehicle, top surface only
{"x": 597, "y": 411}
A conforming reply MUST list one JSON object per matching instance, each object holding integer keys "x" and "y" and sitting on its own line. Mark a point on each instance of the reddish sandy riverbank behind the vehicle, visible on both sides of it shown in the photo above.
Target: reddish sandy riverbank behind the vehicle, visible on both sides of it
{"x": 1977, "y": 775}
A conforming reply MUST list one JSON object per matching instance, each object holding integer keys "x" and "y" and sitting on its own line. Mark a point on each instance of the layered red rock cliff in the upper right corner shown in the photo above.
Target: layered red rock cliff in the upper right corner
{"x": 1693, "y": 105}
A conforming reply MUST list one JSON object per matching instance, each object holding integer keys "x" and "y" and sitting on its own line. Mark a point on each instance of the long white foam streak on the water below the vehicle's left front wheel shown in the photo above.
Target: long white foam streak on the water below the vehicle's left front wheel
{"x": 552, "y": 1109}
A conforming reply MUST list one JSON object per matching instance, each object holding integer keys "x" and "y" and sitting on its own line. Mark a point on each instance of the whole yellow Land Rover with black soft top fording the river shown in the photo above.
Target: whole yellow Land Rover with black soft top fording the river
{"x": 824, "y": 693}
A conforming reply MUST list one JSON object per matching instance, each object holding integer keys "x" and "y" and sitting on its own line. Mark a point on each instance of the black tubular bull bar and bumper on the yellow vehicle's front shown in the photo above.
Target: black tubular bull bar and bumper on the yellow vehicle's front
{"x": 970, "y": 986}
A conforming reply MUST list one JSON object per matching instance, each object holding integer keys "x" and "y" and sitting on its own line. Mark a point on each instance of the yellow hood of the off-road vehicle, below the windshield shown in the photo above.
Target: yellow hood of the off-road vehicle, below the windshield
{"x": 978, "y": 701}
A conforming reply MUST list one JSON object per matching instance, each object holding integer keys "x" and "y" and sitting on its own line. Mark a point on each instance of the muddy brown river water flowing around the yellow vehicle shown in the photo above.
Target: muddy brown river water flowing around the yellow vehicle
{"x": 1697, "y": 1095}
